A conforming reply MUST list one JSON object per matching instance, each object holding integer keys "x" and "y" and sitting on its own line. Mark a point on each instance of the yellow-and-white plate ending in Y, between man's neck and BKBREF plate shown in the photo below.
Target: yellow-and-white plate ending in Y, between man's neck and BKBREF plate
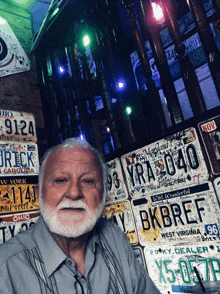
{"x": 121, "y": 214}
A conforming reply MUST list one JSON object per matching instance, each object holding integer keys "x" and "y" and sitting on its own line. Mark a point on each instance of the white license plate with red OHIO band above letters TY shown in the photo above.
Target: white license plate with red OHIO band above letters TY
{"x": 11, "y": 225}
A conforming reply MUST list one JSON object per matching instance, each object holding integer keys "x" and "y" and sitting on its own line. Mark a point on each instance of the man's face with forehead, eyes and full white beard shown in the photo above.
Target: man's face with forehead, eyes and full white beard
{"x": 72, "y": 191}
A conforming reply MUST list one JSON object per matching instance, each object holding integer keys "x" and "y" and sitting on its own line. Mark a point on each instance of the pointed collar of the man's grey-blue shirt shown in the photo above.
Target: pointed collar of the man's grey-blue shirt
{"x": 51, "y": 252}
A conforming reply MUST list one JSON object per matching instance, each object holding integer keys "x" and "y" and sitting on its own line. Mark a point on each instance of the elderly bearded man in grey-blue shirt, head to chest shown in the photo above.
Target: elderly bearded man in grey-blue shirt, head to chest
{"x": 70, "y": 249}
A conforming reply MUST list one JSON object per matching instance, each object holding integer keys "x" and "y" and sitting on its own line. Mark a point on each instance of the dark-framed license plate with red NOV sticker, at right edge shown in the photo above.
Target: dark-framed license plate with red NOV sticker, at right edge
{"x": 210, "y": 132}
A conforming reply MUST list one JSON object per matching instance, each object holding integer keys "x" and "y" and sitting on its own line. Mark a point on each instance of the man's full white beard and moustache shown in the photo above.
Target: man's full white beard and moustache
{"x": 62, "y": 224}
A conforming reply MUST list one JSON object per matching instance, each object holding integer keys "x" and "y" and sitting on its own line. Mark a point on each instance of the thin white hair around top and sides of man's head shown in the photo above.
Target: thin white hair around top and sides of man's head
{"x": 71, "y": 143}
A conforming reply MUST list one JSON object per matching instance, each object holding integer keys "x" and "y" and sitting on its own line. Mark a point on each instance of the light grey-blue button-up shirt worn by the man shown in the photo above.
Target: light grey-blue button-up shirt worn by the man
{"x": 17, "y": 274}
